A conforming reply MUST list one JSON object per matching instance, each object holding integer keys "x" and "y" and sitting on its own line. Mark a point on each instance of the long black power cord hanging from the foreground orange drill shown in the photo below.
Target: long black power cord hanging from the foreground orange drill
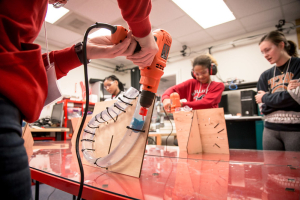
{"x": 97, "y": 25}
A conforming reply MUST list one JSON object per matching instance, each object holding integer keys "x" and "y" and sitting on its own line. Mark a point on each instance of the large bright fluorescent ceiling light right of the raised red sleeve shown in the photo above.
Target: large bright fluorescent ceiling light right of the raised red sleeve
{"x": 206, "y": 13}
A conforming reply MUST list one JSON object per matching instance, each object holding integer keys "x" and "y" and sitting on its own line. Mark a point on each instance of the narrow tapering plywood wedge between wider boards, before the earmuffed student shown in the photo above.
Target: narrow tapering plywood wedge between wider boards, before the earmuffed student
{"x": 194, "y": 145}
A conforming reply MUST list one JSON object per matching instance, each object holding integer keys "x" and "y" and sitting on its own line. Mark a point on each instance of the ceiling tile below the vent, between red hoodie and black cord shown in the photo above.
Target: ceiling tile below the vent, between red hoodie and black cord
{"x": 59, "y": 34}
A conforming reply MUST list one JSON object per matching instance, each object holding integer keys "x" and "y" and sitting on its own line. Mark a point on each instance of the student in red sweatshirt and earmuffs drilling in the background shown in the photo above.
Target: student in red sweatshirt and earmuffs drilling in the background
{"x": 200, "y": 92}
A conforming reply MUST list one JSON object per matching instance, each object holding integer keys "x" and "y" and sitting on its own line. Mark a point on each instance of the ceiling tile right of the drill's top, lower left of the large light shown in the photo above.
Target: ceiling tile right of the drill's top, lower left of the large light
{"x": 181, "y": 26}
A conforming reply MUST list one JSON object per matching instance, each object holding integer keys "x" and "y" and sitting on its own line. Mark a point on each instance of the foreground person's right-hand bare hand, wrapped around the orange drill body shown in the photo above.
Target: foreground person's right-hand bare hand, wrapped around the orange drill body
{"x": 149, "y": 48}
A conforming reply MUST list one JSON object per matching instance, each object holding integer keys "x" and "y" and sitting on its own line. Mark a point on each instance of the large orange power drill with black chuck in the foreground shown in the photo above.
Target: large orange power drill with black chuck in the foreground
{"x": 150, "y": 75}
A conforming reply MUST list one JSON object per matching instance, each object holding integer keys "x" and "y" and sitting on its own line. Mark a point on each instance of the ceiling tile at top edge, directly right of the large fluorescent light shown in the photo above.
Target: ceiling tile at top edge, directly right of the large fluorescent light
{"x": 243, "y": 8}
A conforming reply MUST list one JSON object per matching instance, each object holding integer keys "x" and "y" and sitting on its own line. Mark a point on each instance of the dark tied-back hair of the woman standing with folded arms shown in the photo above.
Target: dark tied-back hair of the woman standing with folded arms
{"x": 276, "y": 37}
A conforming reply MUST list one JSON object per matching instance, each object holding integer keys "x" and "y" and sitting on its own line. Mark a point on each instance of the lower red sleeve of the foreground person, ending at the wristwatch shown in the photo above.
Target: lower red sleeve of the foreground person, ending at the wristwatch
{"x": 64, "y": 60}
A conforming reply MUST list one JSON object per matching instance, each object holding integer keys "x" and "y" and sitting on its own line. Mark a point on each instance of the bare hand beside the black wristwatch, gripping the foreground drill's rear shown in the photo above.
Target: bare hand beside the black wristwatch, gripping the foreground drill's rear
{"x": 102, "y": 47}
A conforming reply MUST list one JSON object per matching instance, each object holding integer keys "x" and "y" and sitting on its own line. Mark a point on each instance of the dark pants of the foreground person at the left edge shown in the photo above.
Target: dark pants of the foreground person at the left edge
{"x": 15, "y": 180}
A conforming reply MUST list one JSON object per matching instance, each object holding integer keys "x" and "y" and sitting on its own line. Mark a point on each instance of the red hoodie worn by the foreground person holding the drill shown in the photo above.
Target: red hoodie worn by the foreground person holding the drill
{"x": 23, "y": 77}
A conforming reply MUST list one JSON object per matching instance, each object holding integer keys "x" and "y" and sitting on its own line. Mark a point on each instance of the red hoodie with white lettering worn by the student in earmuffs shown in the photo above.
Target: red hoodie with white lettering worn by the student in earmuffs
{"x": 195, "y": 94}
